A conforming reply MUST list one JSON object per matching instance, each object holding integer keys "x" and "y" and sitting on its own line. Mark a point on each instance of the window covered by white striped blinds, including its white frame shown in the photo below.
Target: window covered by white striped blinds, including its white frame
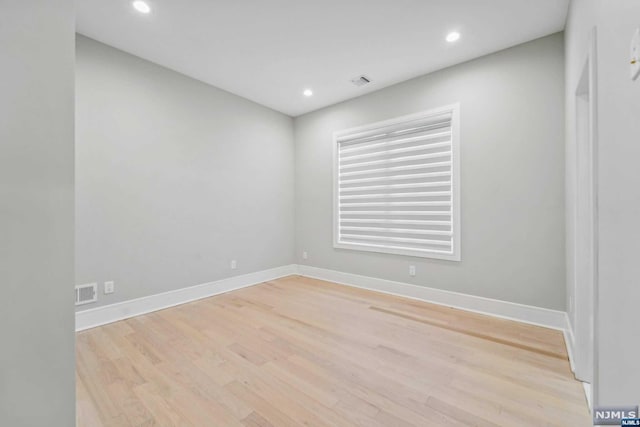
{"x": 397, "y": 185}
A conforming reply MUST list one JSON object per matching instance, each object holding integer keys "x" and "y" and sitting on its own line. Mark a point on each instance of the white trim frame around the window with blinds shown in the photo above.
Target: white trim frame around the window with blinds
{"x": 455, "y": 180}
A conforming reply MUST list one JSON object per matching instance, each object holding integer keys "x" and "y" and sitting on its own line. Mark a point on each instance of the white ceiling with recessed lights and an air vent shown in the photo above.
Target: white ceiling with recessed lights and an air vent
{"x": 269, "y": 51}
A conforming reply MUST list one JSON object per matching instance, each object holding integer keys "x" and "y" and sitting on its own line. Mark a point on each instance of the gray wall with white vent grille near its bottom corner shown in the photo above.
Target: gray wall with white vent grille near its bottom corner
{"x": 174, "y": 178}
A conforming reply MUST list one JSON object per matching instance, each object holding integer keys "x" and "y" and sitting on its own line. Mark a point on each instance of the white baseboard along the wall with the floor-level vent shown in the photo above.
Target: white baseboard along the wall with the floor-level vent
{"x": 123, "y": 310}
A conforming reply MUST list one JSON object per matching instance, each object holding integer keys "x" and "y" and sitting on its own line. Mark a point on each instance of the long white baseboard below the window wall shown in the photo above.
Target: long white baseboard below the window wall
{"x": 547, "y": 318}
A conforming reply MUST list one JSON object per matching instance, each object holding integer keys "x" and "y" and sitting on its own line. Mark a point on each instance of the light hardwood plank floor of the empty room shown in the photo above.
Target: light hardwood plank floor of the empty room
{"x": 303, "y": 352}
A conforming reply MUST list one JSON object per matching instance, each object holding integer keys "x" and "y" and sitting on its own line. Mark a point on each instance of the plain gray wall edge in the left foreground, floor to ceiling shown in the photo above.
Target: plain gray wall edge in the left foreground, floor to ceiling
{"x": 37, "y": 386}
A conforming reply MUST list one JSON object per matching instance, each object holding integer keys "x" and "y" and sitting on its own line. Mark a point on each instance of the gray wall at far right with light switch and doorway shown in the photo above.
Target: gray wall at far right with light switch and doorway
{"x": 617, "y": 326}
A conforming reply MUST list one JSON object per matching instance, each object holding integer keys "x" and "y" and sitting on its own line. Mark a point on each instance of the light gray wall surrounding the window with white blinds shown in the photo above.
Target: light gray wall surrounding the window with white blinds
{"x": 512, "y": 176}
